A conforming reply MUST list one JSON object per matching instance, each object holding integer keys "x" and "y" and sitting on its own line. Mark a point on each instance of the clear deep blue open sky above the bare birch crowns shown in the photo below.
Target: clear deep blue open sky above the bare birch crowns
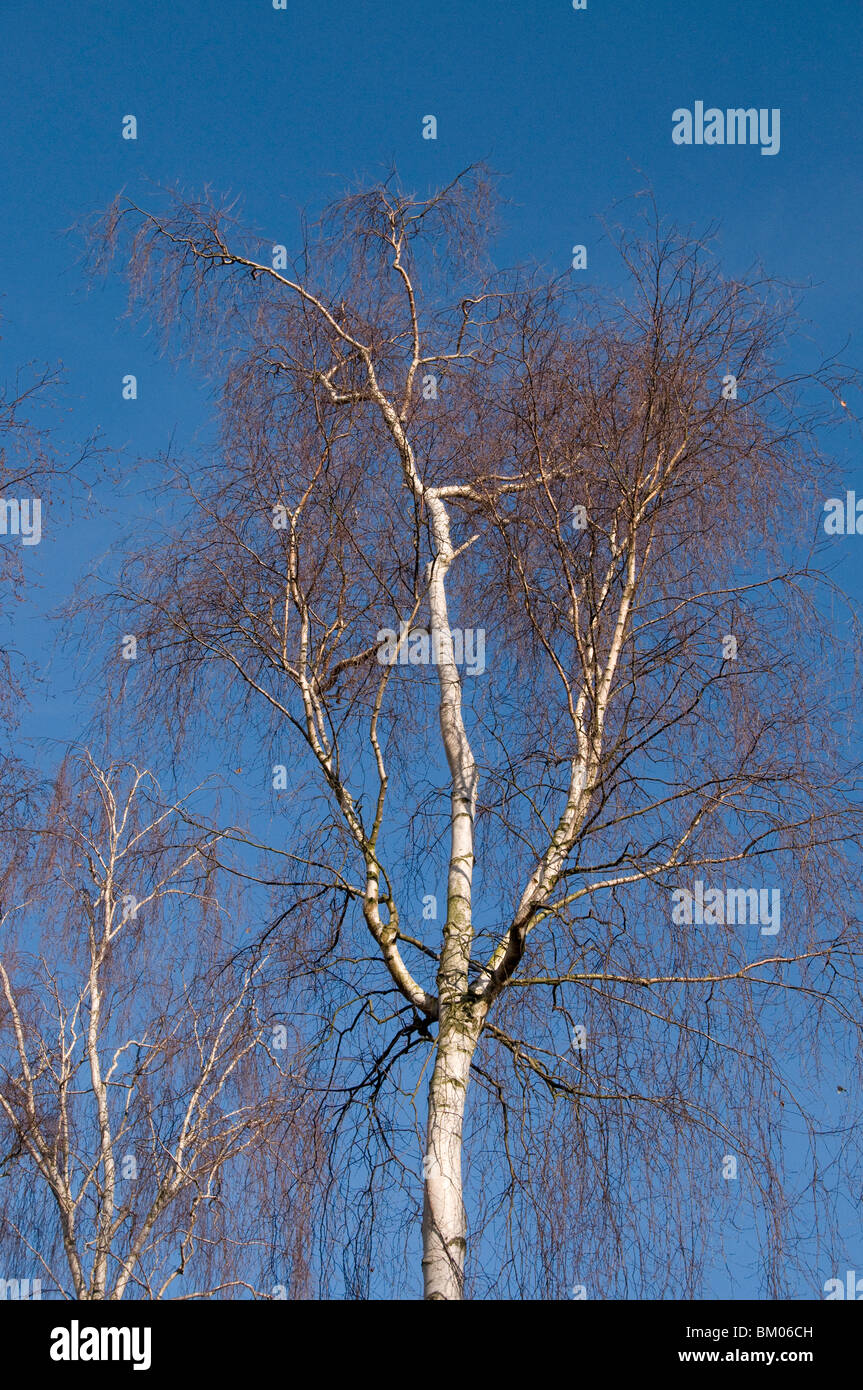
{"x": 288, "y": 108}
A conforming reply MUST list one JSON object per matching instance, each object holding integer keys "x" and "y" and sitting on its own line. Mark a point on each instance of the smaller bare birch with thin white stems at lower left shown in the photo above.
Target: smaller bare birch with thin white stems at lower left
{"x": 137, "y": 1117}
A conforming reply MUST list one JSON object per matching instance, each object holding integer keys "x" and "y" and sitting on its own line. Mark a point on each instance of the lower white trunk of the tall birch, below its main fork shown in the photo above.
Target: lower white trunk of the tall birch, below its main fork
{"x": 444, "y": 1221}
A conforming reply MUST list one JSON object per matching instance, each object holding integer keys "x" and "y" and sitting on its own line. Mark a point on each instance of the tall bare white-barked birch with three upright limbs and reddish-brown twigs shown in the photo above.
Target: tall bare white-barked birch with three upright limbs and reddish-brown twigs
{"x": 593, "y": 501}
